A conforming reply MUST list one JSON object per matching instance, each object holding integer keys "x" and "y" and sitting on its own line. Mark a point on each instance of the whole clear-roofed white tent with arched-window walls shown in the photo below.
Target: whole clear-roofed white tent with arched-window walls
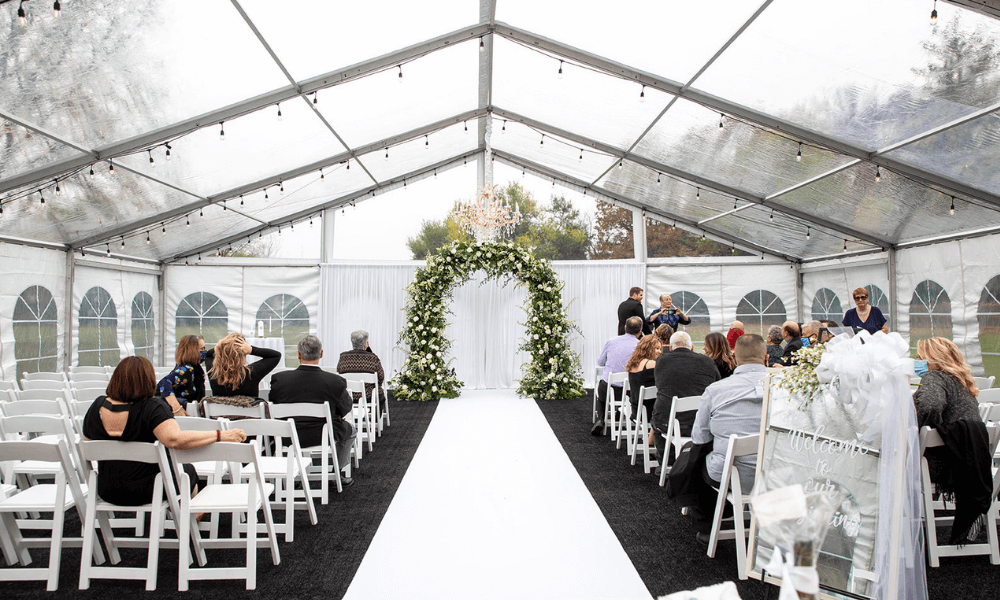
{"x": 843, "y": 145}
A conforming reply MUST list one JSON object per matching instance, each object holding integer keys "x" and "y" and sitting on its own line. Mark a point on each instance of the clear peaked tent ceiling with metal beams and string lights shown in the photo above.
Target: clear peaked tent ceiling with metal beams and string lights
{"x": 894, "y": 118}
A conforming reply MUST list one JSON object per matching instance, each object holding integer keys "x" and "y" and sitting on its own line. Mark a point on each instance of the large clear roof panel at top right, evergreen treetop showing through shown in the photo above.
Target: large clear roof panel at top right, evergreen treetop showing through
{"x": 880, "y": 80}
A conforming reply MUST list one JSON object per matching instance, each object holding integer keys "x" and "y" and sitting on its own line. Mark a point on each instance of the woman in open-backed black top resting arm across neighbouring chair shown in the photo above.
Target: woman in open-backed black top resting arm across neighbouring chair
{"x": 132, "y": 413}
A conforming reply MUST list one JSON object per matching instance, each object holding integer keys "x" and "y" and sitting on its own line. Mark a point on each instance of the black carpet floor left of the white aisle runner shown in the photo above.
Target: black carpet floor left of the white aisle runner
{"x": 318, "y": 565}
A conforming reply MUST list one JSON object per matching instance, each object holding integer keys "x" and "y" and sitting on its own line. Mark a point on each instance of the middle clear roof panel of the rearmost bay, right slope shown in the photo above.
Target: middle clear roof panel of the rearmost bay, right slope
{"x": 638, "y": 184}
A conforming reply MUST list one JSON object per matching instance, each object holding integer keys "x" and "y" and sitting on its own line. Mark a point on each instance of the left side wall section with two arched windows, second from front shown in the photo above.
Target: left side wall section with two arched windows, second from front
{"x": 122, "y": 286}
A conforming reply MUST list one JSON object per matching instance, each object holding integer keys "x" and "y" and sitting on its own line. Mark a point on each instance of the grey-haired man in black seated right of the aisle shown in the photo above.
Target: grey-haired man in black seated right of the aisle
{"x": 680, "y": 372}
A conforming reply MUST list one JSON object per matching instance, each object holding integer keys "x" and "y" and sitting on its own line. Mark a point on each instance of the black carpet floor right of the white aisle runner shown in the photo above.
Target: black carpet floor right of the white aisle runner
{"x": 660, "y": 541}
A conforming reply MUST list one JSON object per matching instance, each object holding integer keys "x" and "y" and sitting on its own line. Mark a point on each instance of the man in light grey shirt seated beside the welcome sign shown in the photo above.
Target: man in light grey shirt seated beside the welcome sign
{"x": 730, "y": 406}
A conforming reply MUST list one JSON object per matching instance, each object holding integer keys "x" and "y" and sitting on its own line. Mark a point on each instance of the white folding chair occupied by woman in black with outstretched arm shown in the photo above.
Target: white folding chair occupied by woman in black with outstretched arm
{"x": 136, "y": 452}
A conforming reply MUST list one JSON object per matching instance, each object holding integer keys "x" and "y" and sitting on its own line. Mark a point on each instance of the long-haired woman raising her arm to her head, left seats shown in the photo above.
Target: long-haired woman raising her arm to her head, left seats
{"x": 228, "y": 371}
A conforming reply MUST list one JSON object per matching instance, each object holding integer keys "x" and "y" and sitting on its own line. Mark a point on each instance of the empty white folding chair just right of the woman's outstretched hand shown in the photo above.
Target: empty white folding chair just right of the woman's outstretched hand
{"x": 282, "y": 469}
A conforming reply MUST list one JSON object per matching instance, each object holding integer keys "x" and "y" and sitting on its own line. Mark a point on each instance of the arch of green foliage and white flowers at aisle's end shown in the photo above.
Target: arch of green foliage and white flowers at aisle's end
{"x": 554, "y": 371}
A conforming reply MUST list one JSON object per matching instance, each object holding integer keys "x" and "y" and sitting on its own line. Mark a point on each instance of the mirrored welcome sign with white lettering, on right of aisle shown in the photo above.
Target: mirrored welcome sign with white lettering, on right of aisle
{"x": 816, "y": 445}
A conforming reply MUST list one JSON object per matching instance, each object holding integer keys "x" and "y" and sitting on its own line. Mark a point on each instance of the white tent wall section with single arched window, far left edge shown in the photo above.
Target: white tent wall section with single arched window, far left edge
{"x": 23, "y": 267}
